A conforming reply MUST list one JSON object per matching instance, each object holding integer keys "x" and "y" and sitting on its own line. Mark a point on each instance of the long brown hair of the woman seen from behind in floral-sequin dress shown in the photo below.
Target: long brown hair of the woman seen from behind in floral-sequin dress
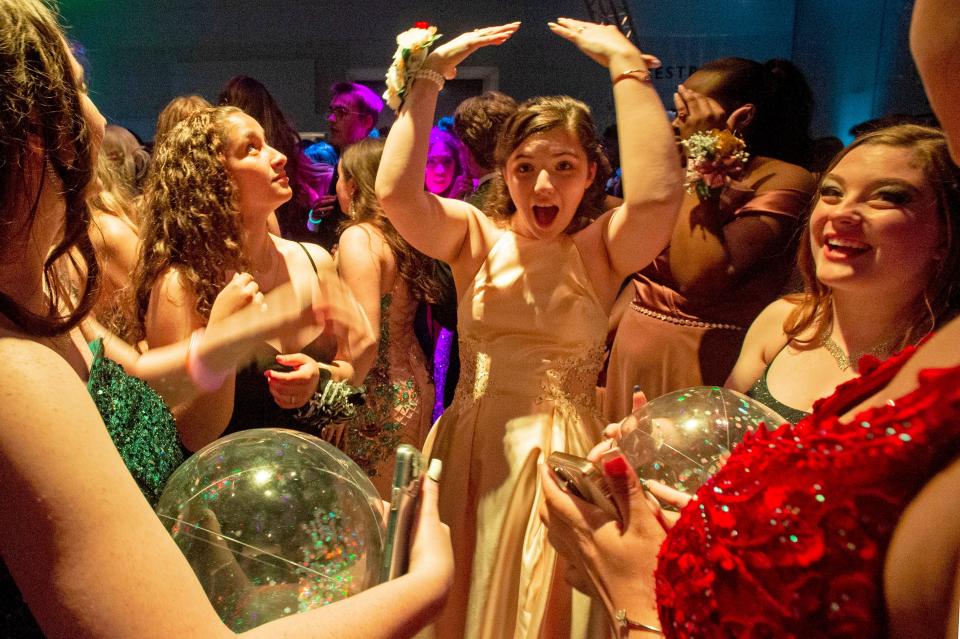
{"x": 359, "y": 163}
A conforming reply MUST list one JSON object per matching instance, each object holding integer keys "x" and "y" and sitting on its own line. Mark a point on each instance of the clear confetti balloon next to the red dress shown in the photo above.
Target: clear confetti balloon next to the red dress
{"x": 682, "y": 438}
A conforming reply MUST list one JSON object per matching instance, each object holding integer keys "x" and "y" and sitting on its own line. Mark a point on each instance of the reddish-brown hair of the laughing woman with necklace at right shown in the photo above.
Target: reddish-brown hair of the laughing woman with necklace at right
{"x": 814, "y": 306}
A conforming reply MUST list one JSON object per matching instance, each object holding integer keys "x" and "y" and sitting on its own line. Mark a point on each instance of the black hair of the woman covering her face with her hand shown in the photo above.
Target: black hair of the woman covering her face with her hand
{"x": 783, "y": 100}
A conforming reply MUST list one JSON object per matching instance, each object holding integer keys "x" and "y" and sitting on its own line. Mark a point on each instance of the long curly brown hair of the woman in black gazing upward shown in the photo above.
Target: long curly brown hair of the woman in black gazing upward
{"x": 190, "y": 221}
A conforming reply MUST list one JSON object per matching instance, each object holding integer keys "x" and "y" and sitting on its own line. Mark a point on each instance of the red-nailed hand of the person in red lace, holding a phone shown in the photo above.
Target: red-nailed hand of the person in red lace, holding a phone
{"x": 617, "y": 558}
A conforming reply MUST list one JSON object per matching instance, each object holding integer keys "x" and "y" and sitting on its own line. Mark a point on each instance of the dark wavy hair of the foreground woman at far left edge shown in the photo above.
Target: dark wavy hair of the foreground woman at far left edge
{"x": 40, "y": 107}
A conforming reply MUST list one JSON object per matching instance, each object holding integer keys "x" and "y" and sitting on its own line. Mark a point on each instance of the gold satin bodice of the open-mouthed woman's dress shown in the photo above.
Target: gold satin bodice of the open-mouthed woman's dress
{"x": 530, "y": 324}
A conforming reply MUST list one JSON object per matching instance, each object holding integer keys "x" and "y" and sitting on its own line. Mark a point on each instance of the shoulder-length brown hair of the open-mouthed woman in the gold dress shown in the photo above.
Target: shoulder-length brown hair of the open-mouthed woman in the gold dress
{"x": 539, "y": 115}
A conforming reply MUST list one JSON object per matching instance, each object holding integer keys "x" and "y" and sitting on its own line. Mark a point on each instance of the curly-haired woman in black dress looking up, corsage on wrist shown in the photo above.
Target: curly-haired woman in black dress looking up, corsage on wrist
{"x": 214, "y": 185}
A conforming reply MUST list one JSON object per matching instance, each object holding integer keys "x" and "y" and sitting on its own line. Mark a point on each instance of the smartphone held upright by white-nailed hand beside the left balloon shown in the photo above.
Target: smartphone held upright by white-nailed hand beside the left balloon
{"x": 403, "y": 505}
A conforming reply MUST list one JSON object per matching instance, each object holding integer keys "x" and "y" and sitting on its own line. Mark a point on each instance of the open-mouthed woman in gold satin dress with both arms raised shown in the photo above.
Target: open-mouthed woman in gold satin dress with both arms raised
{"x": 535, "y": 279}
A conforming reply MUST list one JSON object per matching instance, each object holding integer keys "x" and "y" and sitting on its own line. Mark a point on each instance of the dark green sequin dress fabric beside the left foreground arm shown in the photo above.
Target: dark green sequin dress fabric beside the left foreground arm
{"x": 139, "y": 423}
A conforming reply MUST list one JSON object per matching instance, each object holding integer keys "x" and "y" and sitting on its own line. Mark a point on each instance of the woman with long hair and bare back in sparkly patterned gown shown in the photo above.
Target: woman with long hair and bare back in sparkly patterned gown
{"x": 390, "y": 279}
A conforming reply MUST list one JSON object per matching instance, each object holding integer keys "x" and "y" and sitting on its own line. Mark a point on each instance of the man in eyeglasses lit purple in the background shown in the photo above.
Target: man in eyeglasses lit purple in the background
{"x": 352, "y": 115}
